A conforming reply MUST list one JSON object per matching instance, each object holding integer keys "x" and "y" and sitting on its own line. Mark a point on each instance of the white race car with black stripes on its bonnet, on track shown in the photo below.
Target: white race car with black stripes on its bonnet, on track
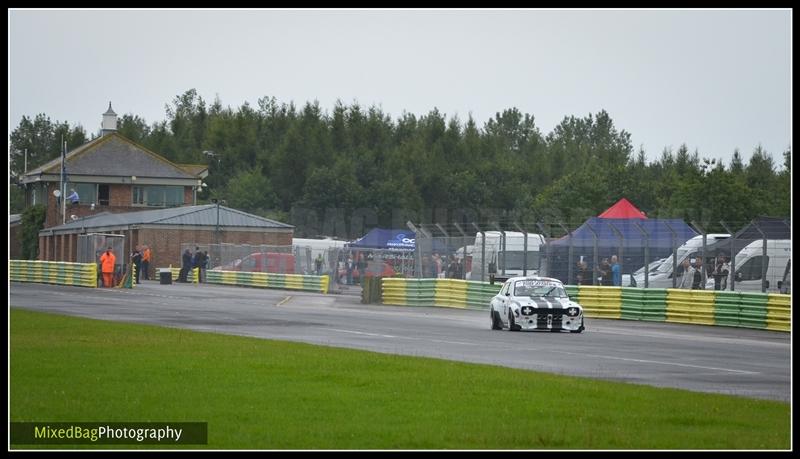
{"x": 535, "y": 303}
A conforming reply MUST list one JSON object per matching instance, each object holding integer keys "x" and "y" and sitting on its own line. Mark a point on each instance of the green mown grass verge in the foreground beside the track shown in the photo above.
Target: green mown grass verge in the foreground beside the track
{"x": 262, "y": 394}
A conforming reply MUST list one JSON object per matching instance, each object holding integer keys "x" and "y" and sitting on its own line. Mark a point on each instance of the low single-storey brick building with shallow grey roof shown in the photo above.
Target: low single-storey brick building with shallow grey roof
{"x": 164, "y": 230}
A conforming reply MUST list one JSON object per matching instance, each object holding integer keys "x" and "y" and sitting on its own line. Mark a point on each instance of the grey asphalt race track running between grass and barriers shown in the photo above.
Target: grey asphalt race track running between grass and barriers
{"x": 750, "y": 363}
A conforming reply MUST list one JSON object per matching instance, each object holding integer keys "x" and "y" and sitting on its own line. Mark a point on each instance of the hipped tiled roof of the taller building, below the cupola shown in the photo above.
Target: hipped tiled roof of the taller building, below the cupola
{"x": 116, "y": 156}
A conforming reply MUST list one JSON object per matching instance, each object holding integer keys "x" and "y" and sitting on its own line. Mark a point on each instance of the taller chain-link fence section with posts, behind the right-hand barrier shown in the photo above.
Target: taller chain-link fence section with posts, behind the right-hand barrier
{"x": 751, "y": 256}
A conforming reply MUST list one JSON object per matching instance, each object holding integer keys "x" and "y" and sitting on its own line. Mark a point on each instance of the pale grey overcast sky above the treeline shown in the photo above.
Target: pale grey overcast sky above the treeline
{"x": 715, "y": 80}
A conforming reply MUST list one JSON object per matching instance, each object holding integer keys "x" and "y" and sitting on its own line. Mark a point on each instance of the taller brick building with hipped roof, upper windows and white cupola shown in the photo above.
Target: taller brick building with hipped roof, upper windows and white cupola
{"x": 111, "y": 174}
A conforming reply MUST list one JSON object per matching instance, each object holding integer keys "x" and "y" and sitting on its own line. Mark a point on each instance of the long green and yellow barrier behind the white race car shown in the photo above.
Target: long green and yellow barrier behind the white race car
{"x": 702, "y": 307}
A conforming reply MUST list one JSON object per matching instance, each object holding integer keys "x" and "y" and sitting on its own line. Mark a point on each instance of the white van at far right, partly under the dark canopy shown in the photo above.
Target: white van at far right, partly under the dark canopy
{"x": 749, "y": 266}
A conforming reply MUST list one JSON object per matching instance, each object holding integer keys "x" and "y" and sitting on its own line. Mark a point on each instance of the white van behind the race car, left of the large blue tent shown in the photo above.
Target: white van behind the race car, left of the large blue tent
{"x": 512, "y": 259}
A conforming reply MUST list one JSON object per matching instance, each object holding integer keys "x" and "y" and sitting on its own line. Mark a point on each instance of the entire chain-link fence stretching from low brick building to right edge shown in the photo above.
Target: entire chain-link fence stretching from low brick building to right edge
{"x": 750, "y": 256}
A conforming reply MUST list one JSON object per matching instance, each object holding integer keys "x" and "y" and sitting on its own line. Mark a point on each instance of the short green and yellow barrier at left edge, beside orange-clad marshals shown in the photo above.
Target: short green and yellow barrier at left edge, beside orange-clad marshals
{"x": 53, "y": 272}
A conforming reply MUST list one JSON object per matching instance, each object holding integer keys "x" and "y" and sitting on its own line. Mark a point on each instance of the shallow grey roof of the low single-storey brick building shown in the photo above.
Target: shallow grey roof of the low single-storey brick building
{"x": 195, "y": 216}
